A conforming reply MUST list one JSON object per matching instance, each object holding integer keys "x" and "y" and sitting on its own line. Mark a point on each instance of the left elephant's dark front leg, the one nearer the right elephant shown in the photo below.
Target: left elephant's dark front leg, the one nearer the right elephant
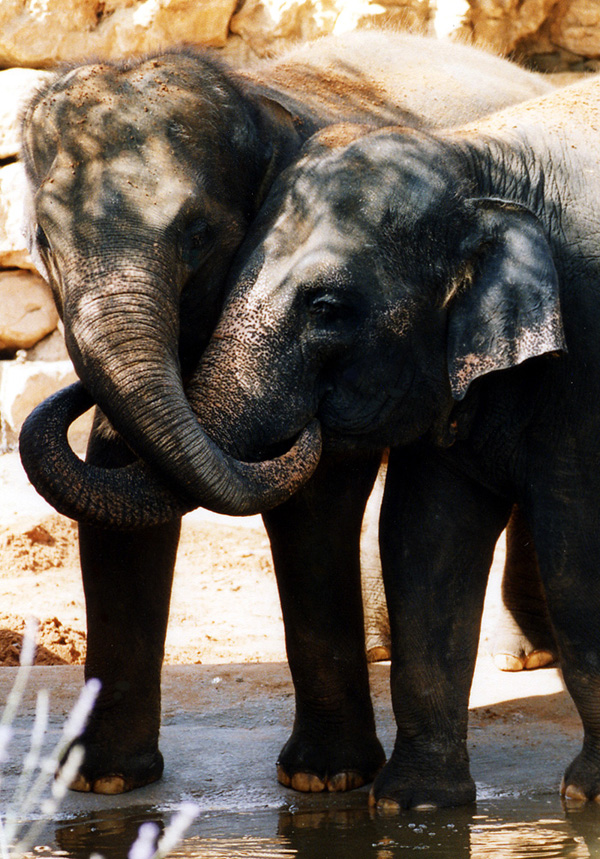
{"x": 315, "y": 541}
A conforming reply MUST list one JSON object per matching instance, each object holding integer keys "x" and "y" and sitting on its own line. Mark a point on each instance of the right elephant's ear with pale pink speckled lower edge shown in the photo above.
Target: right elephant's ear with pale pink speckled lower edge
{"x": 510, "y": 310}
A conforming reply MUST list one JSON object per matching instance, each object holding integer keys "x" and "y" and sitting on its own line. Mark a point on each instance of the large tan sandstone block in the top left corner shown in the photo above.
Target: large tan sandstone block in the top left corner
{"x": 44, "y": 33}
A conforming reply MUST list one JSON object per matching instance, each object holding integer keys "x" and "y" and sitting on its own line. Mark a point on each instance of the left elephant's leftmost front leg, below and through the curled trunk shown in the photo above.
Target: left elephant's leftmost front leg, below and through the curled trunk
{"x": 127, "y": 579}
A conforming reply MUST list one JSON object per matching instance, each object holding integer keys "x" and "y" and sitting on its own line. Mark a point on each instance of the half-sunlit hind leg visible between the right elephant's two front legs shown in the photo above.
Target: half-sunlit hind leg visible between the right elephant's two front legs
{"x": 523, "y": 638}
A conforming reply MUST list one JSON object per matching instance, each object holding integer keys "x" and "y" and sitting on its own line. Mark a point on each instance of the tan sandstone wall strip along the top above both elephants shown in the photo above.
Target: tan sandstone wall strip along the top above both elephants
{"x": 551, "y": 34}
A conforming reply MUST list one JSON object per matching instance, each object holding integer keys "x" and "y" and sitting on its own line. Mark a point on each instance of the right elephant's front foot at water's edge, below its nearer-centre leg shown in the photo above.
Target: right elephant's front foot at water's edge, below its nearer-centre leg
{"x": 422, "y": 784}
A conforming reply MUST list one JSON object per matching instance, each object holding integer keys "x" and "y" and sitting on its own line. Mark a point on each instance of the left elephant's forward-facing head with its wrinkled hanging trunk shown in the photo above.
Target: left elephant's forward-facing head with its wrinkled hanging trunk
{"x": 143, "y": 178}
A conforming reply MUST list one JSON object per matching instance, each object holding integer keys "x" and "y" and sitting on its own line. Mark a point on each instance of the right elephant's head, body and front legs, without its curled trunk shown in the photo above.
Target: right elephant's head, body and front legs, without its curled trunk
{"x": 439, "y": 294}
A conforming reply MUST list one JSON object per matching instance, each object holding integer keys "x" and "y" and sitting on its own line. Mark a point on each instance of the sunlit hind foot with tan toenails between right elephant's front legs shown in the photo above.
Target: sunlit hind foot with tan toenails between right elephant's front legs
{"x": 523, "y": 642}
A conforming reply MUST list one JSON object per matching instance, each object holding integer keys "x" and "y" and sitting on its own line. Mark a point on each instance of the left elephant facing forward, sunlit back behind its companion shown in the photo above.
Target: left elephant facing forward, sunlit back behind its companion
{"x": 144, "y": 177}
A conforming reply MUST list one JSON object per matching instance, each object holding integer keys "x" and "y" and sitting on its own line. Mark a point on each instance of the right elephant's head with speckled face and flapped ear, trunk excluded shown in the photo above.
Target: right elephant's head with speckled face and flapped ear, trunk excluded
{"x": 377, "y": 288}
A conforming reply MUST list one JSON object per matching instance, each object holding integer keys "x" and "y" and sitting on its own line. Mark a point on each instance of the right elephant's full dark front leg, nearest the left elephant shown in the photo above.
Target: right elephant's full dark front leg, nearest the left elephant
{"x": 438, "y": 533}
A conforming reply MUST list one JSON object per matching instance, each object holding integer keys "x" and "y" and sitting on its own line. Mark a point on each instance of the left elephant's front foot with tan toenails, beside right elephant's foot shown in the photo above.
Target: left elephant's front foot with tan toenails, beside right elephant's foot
{"x": 330, "y": 763}
